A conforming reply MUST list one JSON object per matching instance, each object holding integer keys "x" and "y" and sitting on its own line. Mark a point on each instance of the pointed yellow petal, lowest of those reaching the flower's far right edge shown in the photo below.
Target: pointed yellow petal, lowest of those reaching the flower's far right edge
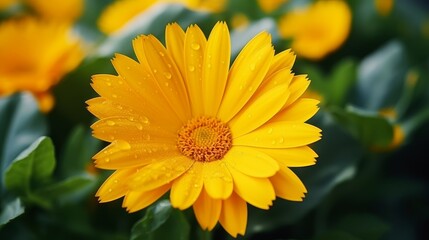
{"x": 292, "y": 157}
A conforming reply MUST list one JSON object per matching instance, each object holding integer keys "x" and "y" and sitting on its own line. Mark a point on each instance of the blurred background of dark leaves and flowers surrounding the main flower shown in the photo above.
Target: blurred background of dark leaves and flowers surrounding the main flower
{"x": 368, "y": 61}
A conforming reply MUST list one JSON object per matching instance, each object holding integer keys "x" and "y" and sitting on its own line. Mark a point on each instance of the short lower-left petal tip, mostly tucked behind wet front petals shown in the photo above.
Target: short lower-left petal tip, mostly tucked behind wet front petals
{"x": 115, "y": 186}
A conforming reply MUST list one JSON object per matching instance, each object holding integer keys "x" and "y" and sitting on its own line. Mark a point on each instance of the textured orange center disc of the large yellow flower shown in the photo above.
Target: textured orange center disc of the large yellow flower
{"x": 204, "y": 139}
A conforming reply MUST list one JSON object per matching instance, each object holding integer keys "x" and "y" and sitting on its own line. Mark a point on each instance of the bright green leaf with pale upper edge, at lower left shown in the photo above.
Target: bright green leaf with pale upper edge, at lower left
{"x": 33, "y": 166}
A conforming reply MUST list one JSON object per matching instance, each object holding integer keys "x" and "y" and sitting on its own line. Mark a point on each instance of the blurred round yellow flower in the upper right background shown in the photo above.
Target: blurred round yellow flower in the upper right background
{"x": 317, "y": 30}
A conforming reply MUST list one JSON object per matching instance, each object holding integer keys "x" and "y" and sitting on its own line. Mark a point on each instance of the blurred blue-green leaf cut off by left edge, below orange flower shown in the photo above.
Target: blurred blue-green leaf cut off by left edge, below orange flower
{"x": 21, "y": 124}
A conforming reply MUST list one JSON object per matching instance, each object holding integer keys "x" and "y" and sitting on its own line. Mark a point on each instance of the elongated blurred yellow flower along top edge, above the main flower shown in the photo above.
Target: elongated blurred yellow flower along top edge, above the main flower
{"x": 120, "y": 12}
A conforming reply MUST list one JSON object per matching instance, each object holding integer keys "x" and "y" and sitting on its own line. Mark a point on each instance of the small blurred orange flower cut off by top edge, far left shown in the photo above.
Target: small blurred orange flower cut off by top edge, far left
{"x": 64, "y": 10}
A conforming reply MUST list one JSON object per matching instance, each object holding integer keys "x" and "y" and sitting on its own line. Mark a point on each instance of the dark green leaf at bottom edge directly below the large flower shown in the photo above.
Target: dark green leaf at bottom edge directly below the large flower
{"x": 161, "y": 221}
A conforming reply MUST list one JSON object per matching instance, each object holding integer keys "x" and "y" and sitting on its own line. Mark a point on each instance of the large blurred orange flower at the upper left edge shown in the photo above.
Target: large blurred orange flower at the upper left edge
{"x": 34, "y": 56}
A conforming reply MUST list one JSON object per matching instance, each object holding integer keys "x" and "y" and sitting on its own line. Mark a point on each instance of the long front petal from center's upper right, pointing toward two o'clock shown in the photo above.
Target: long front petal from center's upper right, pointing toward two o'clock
{"x": 259, "y": 110}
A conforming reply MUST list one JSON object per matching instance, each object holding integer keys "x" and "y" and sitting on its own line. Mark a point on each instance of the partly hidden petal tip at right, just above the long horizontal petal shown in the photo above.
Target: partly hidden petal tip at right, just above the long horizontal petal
{"x": 299, "y": 111}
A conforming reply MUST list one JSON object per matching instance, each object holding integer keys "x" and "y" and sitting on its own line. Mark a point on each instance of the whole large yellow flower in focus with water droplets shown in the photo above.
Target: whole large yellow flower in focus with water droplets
{"x": 180, "y": 119}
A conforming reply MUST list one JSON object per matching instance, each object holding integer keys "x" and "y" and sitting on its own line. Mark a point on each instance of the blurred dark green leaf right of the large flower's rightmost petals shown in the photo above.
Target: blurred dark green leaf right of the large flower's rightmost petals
{"x": 369, "y": 128}
